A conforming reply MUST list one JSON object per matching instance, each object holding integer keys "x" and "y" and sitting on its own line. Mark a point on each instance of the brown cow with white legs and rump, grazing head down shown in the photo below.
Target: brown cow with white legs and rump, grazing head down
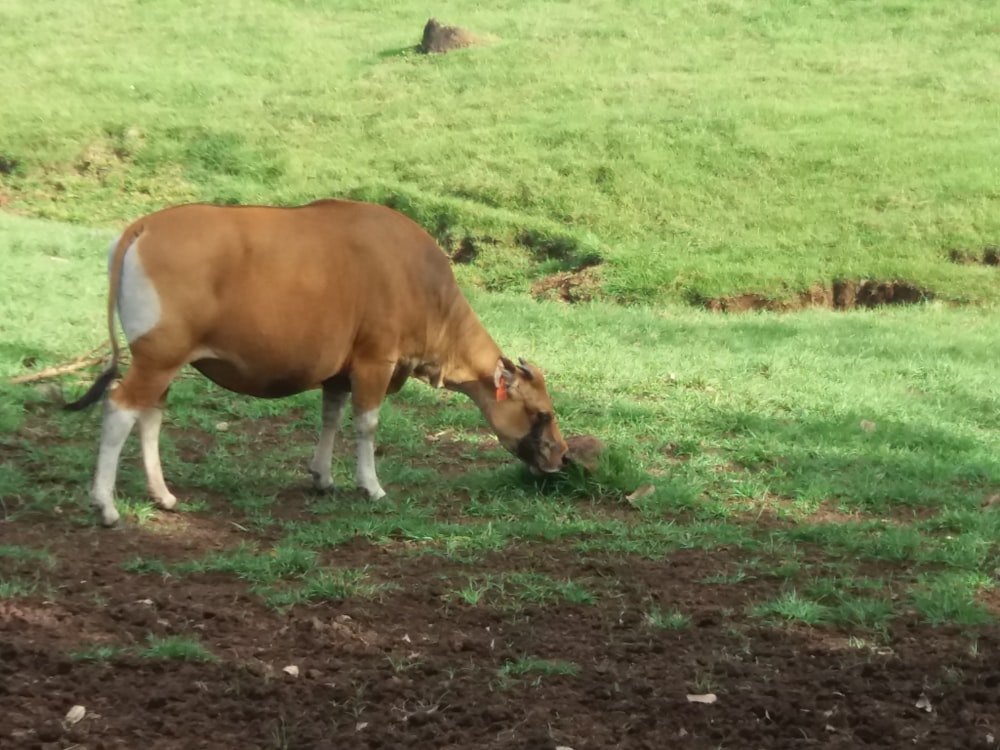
{"x": 349, "y": 297}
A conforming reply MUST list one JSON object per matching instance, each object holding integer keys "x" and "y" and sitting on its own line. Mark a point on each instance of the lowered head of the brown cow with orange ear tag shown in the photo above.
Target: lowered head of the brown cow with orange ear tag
{"x": 523, "y": 417}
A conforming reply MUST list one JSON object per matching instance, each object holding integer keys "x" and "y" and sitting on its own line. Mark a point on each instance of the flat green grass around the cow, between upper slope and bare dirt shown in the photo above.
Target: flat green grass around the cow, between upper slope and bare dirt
{"x": 888, "y": 420}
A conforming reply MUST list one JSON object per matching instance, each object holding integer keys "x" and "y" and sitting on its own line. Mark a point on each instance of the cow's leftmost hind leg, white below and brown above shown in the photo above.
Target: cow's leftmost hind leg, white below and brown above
{"x": 139, "y": 392}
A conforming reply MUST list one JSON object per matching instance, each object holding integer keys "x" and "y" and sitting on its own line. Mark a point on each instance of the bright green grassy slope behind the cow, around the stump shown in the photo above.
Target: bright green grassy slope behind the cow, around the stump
{"x": 701, "y": 148}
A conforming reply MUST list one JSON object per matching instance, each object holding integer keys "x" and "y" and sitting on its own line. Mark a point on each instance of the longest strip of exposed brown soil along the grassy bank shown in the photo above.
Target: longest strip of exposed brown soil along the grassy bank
{"x": 841, "y": 294}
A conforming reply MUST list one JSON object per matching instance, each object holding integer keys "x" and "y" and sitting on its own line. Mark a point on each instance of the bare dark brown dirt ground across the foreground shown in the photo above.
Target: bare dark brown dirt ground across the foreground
{"x": 417, "y": 668}
